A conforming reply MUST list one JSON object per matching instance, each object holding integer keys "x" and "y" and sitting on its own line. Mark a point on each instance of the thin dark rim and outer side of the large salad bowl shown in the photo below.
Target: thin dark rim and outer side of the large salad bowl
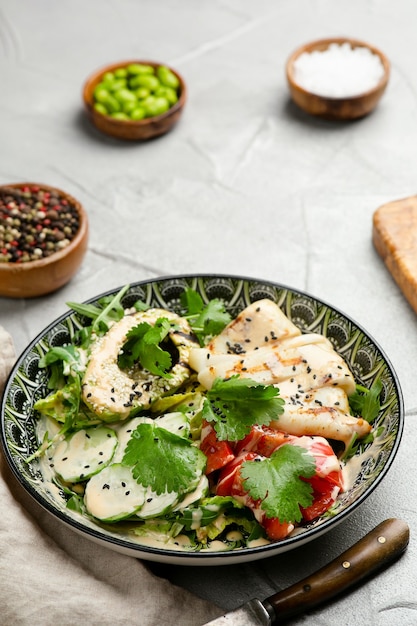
{"x": 208, "y": 558}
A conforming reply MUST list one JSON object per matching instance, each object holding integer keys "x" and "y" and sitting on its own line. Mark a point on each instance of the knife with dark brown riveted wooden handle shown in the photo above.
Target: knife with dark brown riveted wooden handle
{"x": 380, "y": 547}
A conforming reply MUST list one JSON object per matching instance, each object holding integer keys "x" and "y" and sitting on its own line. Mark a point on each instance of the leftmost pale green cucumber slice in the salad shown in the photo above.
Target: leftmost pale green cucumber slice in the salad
{"x": 84, "y": 453}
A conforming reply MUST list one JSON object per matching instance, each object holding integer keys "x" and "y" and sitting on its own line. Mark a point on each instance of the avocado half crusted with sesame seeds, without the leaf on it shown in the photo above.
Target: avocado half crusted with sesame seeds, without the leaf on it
{"x": 114, "y": 394}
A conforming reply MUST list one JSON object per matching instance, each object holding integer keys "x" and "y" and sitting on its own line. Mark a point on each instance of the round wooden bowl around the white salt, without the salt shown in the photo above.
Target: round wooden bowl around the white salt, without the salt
{"x": 336, "y": 108}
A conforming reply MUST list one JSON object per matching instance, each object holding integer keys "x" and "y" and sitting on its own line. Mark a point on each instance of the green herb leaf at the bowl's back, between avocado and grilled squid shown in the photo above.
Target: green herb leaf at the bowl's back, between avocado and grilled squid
{"x": 205, "y": 320}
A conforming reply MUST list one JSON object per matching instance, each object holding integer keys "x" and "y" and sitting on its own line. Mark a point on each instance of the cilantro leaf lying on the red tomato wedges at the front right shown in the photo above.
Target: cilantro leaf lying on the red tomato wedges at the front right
{"x": 276, "y": 481}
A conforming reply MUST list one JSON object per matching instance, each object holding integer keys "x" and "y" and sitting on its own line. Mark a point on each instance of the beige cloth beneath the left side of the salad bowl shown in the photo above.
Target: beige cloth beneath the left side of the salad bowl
{"x": 51, "y": 575}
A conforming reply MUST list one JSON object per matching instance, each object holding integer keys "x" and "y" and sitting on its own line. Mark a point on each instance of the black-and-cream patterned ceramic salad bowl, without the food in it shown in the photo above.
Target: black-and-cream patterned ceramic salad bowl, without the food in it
{"x": 366, "y": 359}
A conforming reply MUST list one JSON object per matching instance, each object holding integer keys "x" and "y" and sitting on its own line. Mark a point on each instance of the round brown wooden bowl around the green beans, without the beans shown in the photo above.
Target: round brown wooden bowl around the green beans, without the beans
{"x": 140, "y": 130}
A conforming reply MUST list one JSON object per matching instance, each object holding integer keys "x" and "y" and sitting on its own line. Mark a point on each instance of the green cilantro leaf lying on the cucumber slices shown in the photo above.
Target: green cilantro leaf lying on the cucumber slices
{"x": 162, "y": 460}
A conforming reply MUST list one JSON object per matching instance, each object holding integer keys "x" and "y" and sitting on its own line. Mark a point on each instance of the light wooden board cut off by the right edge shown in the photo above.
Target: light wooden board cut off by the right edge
{"x": 394, "y": 236}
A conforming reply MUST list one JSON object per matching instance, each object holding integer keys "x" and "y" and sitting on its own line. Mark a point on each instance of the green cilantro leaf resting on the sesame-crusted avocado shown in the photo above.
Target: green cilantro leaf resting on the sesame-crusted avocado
{"x": 143, "y": 345}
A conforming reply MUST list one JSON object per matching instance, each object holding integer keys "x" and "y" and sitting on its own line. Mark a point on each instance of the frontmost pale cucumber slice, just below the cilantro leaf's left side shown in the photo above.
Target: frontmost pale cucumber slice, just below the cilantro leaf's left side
{"x": 114, "y": 494}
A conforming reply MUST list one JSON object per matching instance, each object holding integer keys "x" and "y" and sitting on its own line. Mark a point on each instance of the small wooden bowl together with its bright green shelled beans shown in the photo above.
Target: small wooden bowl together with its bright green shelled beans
{"x": 134, "y": 100}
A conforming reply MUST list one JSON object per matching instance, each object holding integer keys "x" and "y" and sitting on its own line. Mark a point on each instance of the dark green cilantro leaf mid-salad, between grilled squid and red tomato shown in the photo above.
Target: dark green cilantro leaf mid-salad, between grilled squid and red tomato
{"x": 235, "y": 404}
